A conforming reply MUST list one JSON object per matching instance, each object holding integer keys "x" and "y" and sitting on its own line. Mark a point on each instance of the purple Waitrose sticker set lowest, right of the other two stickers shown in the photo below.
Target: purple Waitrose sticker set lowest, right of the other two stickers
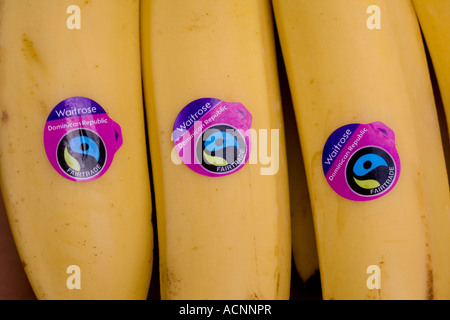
{"x": 360, "y": 161}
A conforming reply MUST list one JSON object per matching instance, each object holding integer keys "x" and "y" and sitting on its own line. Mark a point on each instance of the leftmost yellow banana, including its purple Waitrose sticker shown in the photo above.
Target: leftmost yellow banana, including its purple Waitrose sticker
{"x": 73, "y": 163}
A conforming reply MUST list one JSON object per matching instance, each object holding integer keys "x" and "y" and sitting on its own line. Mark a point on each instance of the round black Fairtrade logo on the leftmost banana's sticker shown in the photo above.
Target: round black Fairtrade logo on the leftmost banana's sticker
{"x": 81, "y": 154}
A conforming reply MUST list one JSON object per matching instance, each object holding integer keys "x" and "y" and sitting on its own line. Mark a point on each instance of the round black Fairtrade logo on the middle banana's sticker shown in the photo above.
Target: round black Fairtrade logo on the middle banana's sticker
{"x": 221, "y": 149}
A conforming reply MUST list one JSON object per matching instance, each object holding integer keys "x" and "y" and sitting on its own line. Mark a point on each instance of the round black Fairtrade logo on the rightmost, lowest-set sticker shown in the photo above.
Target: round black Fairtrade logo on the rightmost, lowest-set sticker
{"x": 370, "y": 171}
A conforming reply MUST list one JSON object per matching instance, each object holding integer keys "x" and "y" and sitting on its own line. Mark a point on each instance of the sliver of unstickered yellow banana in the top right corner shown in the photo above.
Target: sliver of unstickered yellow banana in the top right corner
{"x": 434, "y": 19}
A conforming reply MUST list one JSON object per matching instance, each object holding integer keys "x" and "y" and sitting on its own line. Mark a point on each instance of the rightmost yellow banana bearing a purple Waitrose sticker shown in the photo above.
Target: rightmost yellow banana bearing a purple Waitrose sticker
{"x": 371, "y": 146}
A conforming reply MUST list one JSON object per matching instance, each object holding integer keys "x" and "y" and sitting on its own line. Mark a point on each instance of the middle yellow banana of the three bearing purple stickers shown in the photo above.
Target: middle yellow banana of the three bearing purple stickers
{"x": 223, "y": 226}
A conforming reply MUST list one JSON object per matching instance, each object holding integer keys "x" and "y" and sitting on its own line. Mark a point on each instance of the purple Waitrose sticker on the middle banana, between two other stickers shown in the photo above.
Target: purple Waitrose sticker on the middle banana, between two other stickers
{"x": 212, "y": 137}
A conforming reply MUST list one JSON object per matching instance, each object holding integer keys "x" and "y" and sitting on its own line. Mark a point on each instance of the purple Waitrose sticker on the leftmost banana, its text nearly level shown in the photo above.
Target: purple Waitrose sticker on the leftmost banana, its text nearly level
{"x": 80, "y": 139}
